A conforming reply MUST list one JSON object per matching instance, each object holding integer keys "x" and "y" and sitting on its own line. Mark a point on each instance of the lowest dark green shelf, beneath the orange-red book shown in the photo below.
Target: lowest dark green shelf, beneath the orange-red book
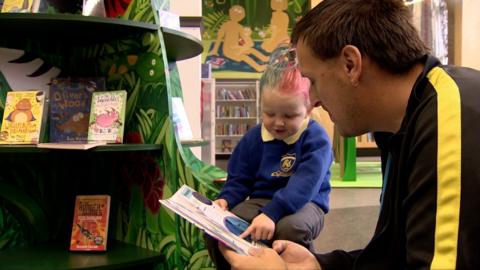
{"x": 54, "y": 256}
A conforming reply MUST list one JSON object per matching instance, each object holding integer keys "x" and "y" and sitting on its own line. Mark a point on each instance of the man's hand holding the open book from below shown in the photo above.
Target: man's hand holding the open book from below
{"x": 292, "y": 256}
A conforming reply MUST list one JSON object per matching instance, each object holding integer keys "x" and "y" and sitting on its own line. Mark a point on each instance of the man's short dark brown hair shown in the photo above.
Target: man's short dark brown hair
{"x": 381, "y": 30}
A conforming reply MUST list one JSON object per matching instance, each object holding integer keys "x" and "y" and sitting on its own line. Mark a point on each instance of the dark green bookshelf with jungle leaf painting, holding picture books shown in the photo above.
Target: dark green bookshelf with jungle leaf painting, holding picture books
{"x": 38, "y": 186}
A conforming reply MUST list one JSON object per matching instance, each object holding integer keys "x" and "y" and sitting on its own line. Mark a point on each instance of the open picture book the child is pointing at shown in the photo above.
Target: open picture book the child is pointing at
{"x": 209, "y": 217}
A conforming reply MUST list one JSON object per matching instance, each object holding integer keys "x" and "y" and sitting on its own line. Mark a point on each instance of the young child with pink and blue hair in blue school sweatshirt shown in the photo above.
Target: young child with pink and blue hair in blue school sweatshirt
{"x": 278, "y": 174}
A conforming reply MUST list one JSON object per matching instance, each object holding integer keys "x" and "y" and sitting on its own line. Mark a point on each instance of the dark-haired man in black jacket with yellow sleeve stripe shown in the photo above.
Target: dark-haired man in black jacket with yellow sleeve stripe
{"x": 371, "y": 72}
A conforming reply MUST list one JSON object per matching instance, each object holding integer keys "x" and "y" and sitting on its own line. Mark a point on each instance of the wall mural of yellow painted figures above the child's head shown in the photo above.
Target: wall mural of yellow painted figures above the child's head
{"x": 239, "y": 35}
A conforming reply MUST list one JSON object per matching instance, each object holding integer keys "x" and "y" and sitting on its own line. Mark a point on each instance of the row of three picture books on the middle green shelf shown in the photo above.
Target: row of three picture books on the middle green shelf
{"x": 77, "y": 110}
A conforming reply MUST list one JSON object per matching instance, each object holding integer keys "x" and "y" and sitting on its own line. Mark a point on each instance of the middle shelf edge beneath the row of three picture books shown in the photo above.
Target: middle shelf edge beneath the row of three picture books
{"x": 31, "y": 148}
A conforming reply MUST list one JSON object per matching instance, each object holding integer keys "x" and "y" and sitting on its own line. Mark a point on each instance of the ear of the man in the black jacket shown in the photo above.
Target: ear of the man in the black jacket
{"x": 352, "y": 63}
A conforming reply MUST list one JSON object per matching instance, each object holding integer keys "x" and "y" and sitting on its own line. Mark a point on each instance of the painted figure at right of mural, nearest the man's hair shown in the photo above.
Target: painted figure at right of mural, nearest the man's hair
{"x": 278, "y": 28}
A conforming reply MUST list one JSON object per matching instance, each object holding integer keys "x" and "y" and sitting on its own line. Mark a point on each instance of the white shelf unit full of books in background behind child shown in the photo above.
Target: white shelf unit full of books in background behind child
{"x": 236, "y": 111}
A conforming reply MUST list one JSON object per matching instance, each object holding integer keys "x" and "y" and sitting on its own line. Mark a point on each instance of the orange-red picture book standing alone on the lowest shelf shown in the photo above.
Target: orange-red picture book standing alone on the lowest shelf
{"x": 90, "y": 223}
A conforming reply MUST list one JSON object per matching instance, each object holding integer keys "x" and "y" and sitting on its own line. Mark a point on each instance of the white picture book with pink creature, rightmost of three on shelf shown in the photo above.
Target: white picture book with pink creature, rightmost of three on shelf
{"x": 107, "y": 116}
